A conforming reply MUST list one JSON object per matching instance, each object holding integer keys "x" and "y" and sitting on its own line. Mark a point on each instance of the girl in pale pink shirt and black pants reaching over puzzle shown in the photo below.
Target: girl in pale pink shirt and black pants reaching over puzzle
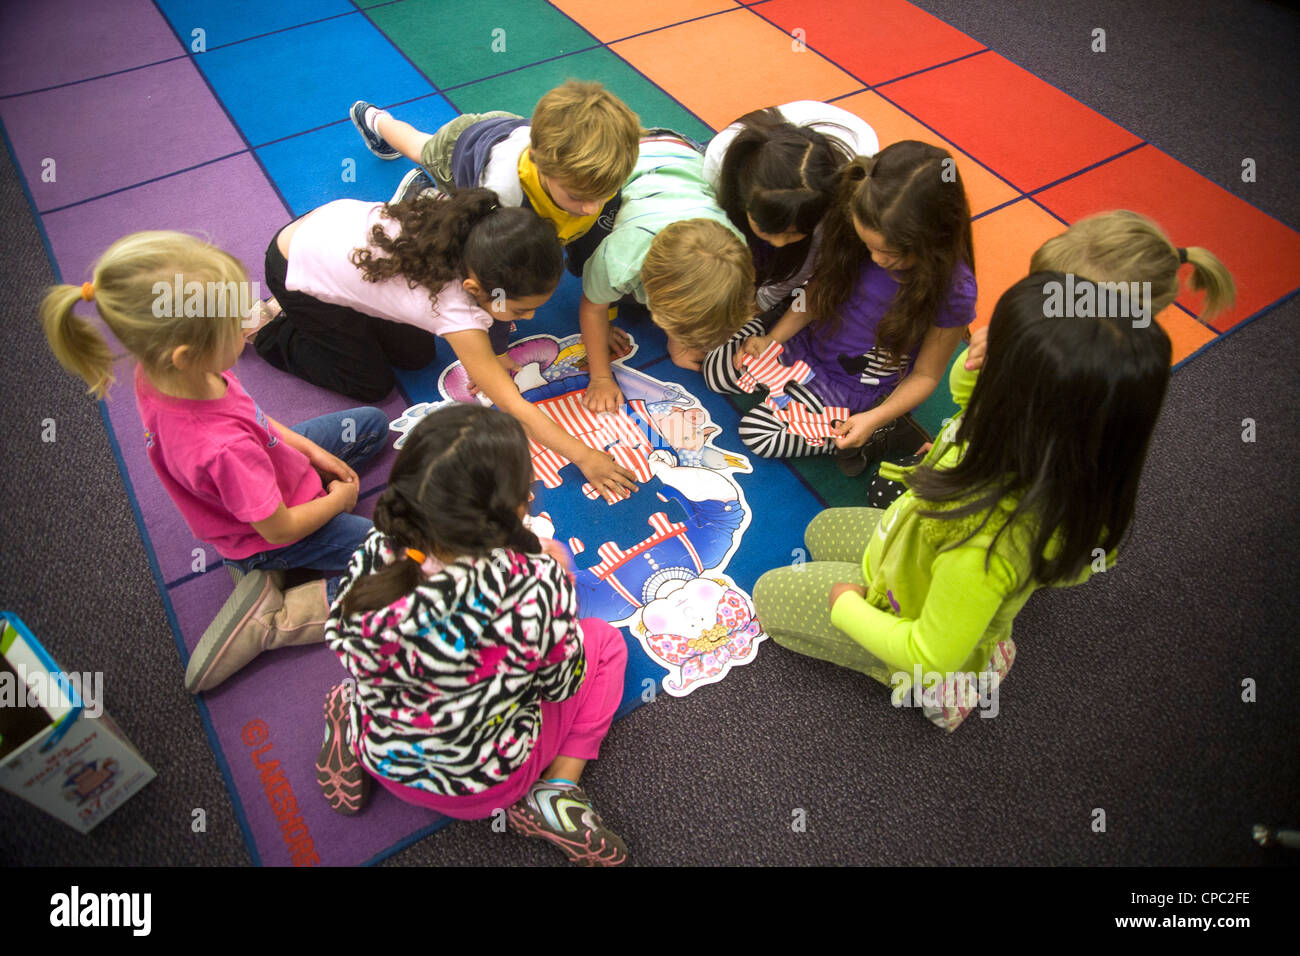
{"x": 363, "y": 285}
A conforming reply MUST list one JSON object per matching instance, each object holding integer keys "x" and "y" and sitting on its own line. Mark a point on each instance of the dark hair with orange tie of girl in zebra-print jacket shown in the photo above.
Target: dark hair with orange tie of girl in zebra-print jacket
{"x": 456, "y": 488}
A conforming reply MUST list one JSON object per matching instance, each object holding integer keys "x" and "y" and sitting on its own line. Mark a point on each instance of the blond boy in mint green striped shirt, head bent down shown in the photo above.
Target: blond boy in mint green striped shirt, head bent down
{"x": 673, "y": 250}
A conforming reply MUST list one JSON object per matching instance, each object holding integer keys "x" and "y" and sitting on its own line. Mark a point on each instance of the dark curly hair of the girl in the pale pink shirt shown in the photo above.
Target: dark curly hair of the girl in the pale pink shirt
{"x": 443, "y": 240}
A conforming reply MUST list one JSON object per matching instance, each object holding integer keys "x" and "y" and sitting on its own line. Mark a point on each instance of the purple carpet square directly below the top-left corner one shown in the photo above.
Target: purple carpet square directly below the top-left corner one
{"x": 109, "y": 135}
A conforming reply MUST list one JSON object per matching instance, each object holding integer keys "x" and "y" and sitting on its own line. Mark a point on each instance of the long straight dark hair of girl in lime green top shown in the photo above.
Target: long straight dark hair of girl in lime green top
{"x": 1061, "y": 418}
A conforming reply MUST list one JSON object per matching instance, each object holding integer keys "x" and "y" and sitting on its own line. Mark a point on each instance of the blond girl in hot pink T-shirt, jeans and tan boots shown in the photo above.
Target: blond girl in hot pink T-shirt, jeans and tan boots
{"x": 265, "y": 496}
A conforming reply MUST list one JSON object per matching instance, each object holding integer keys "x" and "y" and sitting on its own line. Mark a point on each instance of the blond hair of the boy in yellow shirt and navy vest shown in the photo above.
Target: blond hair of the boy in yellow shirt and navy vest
{"x": 587, "y": 139}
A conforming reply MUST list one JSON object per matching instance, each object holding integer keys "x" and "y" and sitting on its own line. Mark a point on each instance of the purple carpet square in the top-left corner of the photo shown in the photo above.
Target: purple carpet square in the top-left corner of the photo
{"x": 58, "y": 42}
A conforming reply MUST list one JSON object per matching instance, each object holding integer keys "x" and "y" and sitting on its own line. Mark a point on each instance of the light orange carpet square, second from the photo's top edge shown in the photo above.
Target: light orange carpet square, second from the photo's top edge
{"x": 725, "y": 67}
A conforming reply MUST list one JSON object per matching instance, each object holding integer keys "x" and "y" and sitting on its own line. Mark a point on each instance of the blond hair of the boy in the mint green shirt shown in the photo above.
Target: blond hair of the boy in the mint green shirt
{"x": 700, "y": 283}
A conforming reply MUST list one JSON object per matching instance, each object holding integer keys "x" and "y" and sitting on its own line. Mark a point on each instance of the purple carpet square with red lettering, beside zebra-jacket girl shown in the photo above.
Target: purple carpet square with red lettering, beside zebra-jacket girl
{"x": 270, "y": 723}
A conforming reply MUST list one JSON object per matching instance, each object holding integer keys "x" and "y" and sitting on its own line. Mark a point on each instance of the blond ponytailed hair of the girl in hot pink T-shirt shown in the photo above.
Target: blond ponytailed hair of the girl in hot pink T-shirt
{"x": 128, "y": 293}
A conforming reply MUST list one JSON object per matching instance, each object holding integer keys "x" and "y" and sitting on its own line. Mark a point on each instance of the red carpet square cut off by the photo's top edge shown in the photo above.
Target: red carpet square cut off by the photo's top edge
{"x": 876, "y": 42}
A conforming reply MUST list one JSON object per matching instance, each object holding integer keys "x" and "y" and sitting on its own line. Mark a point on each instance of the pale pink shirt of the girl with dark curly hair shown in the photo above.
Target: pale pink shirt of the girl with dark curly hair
{"x": 320, "y": 265}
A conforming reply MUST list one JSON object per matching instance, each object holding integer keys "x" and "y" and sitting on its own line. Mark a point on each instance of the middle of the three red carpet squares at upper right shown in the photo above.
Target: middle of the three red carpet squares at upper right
{"x": 1022, "y": 128}
